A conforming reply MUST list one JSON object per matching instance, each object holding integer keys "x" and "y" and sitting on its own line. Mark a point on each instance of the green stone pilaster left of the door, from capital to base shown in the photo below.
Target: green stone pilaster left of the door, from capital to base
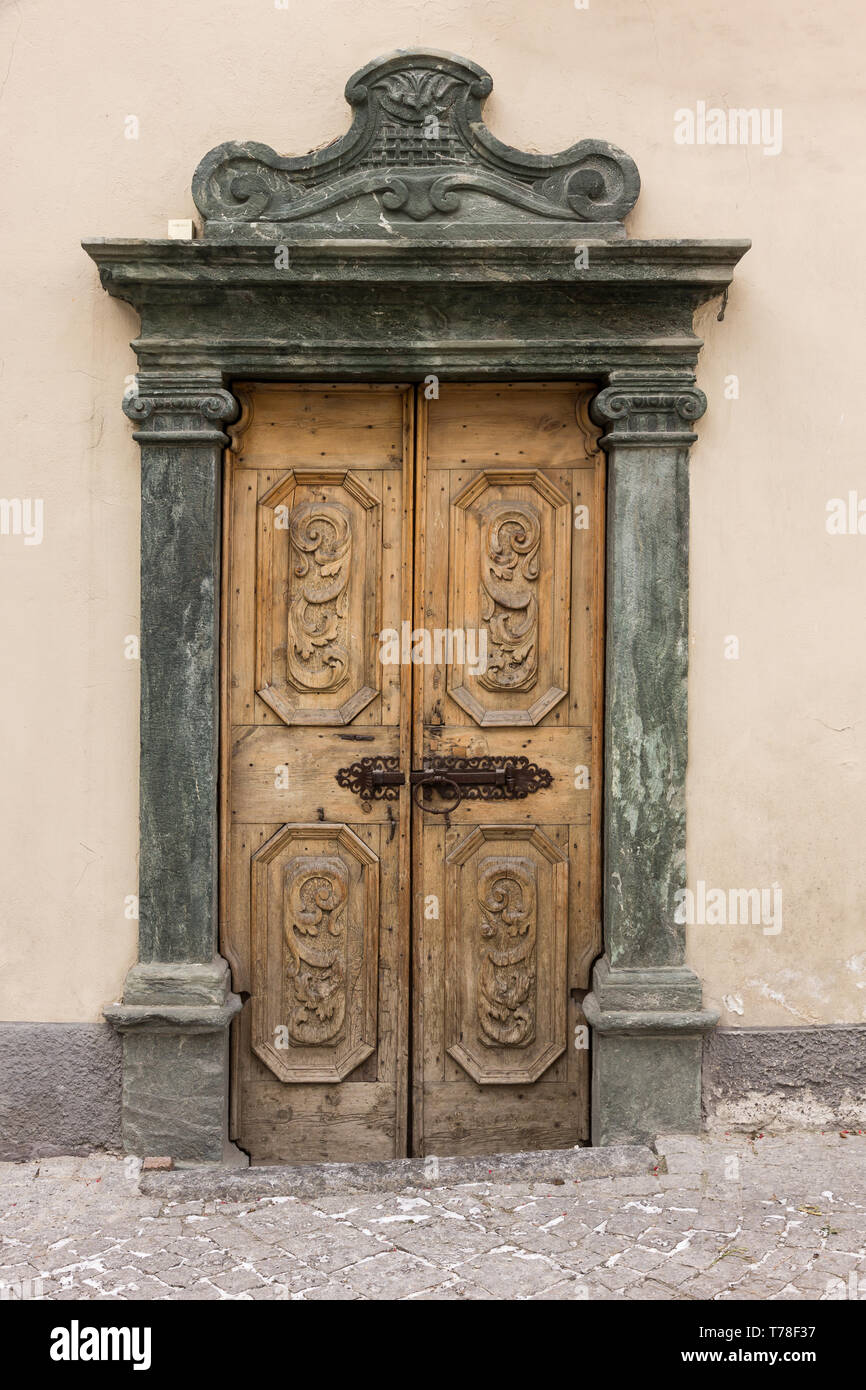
{"x": 177, "y": 1000}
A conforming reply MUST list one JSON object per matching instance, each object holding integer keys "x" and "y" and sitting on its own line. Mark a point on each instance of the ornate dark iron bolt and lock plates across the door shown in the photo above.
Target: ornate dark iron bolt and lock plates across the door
{"x": 462, "y": 779}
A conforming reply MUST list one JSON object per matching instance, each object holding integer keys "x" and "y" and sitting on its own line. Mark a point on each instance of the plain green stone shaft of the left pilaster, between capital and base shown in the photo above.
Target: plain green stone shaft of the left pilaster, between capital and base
{"x": 180, "y": 703}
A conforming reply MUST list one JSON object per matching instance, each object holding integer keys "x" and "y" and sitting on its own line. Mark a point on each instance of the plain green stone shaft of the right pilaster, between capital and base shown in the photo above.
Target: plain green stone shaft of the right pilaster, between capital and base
{"x": 646, "y": 725}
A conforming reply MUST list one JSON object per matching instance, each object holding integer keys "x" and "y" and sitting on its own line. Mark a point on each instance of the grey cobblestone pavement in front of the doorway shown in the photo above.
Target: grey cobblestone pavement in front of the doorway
{"x": 774, "y": 1217}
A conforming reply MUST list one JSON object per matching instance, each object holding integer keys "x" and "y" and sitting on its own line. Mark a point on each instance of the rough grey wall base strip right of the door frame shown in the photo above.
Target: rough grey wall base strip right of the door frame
{"x": 801, "y": 1078}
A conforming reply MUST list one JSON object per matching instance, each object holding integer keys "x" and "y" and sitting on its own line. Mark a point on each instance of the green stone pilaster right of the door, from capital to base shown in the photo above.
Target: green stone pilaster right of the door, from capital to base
{"x": 646, "y": 1006}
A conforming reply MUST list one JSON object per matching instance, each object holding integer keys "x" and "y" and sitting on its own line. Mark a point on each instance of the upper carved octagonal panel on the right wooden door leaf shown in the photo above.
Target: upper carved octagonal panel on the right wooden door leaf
{"x": 511, "y": 584}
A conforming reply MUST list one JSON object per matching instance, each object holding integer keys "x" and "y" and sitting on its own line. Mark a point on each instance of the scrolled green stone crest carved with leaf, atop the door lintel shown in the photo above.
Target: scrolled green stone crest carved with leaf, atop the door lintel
{"x": 418, "y": 152}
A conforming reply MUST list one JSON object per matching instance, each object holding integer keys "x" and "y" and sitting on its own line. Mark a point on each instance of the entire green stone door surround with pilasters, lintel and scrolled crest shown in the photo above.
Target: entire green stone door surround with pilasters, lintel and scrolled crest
{"x": 543, "y": 293}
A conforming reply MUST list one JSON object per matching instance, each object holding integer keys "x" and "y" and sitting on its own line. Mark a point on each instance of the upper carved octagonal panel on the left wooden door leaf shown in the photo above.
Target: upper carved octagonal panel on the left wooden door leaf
{"x": 319, "y": 561}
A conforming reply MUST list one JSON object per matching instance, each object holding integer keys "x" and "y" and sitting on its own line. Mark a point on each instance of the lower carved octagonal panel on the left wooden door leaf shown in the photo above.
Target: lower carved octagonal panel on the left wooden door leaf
{"x": 315, "y": 925}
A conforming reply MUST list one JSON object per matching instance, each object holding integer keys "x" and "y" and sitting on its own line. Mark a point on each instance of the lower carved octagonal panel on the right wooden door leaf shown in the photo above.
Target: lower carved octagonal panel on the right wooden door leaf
{"x": 507, "y": 936}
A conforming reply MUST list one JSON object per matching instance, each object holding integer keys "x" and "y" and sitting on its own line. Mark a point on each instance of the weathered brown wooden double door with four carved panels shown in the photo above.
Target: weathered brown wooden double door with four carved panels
{"x": 412, "y": 683}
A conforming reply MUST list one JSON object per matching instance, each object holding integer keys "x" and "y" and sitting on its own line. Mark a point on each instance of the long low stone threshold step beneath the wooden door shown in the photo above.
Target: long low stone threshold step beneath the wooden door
{"x": 212, "y": 1184}
